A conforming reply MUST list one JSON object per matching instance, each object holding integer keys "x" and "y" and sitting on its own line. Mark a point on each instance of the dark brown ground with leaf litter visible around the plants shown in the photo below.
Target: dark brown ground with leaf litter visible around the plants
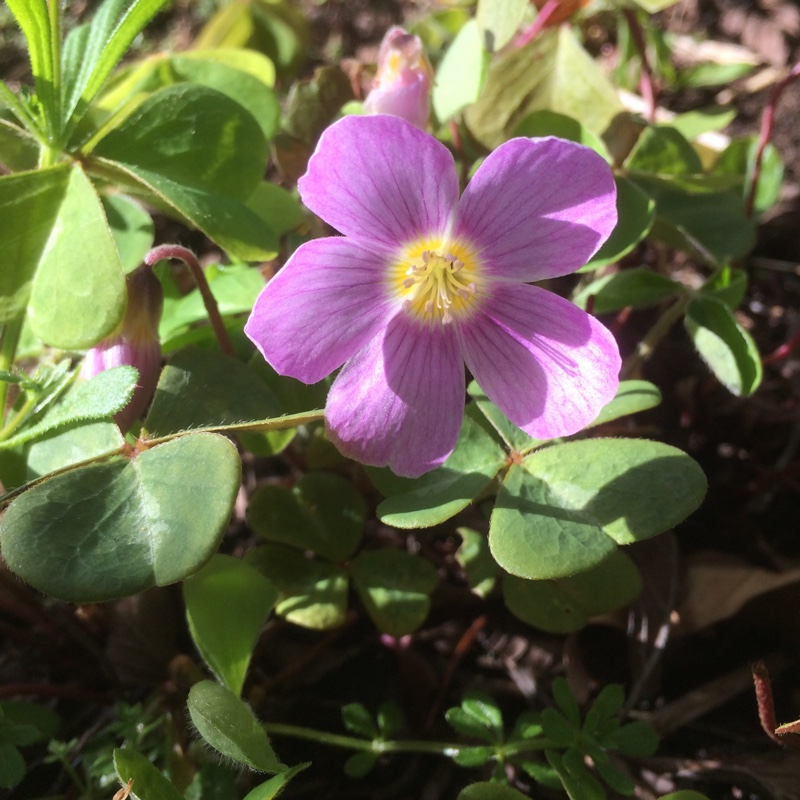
{"x": 721, "y": 591}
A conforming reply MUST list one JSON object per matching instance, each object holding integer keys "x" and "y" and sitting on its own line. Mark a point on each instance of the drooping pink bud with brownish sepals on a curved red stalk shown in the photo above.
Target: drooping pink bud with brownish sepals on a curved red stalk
{"x": 135, "y": 343}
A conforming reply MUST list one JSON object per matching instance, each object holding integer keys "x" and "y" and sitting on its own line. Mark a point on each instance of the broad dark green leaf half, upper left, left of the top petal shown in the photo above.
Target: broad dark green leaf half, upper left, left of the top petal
{"x": 194, "y": 137}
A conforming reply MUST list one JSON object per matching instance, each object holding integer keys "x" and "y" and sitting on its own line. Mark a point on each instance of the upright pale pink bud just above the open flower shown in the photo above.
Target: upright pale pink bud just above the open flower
{"x": 402, "y": 85}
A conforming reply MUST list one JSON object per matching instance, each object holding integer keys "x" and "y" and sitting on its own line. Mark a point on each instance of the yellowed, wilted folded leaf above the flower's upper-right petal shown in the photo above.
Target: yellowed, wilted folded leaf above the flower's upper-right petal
{"x": 573, "y": 85}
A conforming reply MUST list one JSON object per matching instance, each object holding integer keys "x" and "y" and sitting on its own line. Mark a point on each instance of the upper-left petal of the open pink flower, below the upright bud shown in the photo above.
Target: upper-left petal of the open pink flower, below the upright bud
{"x": 381, "y": 179}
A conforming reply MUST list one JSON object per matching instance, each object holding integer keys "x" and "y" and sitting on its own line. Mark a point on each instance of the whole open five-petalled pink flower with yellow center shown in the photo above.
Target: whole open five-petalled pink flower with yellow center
{"x": 423, "y": 281}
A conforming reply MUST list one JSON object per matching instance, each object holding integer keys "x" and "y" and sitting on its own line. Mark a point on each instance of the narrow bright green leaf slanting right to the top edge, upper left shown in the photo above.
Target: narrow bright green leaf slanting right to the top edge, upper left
{"x": 112, "y": 31}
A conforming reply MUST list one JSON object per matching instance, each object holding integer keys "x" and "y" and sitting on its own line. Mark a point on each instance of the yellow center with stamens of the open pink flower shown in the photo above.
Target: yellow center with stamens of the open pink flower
{"x": 438, "y": 282}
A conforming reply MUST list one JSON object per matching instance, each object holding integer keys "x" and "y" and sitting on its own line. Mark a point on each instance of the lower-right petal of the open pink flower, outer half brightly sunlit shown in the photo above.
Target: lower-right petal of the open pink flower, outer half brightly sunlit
{"x": 548, "y": 365}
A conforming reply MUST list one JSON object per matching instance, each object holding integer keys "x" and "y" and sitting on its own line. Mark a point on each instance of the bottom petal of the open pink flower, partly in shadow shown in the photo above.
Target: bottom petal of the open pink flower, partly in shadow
{"x": 399, "y": 402}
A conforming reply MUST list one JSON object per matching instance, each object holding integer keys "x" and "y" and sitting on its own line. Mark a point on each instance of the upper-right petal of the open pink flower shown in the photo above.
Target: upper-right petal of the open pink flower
{"x": 538, "y": 208}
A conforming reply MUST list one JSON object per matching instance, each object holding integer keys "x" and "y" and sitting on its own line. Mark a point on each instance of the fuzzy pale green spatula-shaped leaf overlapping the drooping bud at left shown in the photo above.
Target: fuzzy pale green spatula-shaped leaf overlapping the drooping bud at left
{"x": 99, "y": 398}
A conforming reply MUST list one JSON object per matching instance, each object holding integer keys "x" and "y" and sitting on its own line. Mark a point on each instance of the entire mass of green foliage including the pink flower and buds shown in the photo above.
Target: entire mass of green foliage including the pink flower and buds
{"x": 441, "y": 224}
